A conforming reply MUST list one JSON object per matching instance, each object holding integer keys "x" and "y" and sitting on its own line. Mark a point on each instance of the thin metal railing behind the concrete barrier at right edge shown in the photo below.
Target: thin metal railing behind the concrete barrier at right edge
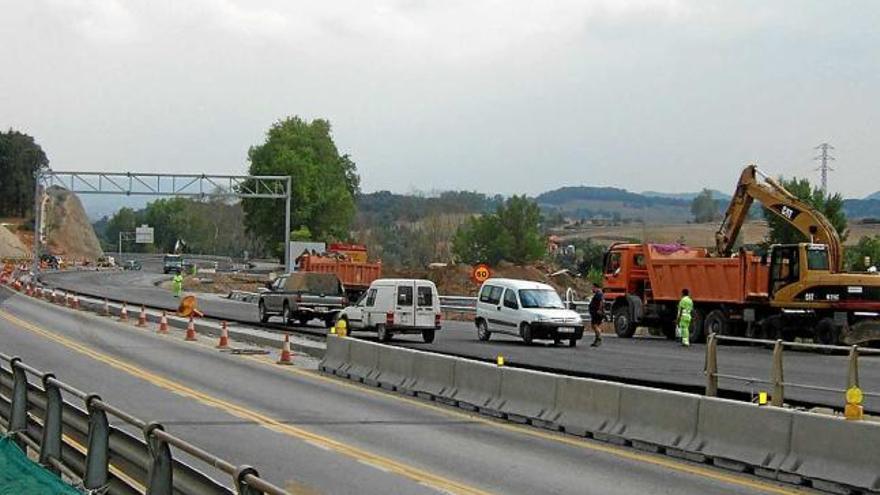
{"x": 777, "y": 380}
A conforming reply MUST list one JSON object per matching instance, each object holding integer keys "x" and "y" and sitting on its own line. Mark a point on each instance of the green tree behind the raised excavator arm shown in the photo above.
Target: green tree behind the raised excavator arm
{"x": 781, "y": 232}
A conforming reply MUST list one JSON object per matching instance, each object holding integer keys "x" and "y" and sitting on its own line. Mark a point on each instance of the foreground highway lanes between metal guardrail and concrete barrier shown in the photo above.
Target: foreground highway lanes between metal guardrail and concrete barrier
{"x": 318, "y": 434}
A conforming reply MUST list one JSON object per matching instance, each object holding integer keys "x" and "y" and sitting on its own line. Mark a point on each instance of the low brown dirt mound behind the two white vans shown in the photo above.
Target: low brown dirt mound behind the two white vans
{"x": 456, "y": 279}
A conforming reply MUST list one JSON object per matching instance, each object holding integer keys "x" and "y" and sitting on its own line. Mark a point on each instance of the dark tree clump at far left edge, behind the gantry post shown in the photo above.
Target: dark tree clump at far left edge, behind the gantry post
{"x": 20, "y": 158}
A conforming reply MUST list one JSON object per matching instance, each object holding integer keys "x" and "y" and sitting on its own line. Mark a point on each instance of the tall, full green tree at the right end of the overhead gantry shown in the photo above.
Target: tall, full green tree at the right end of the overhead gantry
{"x": 323, "y": 186}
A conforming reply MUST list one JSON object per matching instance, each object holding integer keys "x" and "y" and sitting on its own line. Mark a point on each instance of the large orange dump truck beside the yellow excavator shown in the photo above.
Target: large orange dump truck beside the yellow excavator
{"x": 643, "y": 284}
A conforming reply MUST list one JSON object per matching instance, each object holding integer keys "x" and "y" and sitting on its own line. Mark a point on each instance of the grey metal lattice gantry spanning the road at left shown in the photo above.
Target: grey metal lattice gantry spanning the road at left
{"x": 156, "y": 184}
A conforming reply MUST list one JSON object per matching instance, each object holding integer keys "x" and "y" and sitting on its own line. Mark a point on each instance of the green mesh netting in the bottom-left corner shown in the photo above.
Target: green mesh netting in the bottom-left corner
{"x": 19, "y": 475}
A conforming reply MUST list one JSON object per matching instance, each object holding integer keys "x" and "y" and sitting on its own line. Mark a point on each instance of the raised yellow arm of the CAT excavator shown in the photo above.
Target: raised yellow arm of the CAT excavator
{"x": 785, "y": 205}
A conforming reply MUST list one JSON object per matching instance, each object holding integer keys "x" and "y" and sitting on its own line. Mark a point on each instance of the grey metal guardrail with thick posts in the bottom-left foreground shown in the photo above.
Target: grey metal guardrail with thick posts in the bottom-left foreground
{"x": 81, "y": 444}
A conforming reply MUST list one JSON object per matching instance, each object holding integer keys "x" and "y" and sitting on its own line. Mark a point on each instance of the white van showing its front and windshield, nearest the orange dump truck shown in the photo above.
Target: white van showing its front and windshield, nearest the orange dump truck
{"x": 530, "y": 310}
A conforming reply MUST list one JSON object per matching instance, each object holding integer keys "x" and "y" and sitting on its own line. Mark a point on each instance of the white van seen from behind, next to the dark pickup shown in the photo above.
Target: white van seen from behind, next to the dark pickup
{"x": 396, "y": 306}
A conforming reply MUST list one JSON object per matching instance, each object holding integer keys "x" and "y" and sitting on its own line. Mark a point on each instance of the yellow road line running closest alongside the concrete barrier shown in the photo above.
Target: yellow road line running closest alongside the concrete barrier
{"x": 647, "y": 458}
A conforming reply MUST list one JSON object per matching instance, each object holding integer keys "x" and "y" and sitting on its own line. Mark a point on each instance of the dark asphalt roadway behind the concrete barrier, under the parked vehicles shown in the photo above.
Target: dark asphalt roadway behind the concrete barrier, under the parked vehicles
{"x": 644, "y": 360}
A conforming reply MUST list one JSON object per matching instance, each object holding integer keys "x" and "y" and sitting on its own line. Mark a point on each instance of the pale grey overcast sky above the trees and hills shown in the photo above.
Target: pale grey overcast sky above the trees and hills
{"x": 502, "y": 96}
